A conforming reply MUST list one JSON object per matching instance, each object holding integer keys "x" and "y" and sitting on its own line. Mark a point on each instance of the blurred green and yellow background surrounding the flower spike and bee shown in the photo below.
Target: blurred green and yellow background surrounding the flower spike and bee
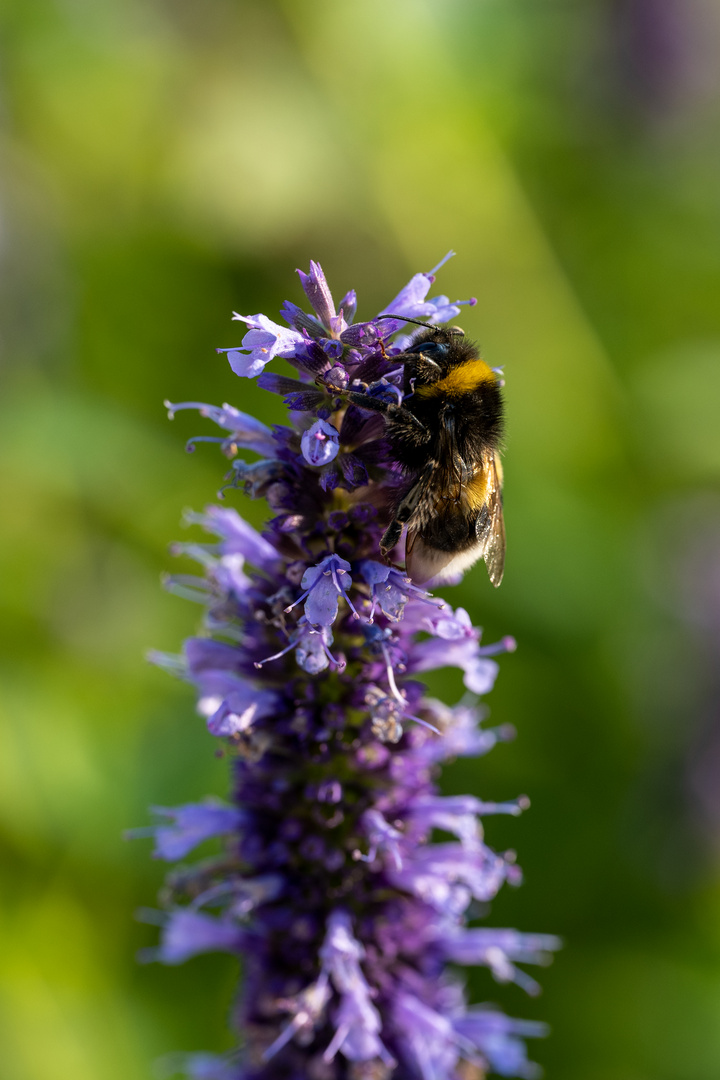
{"x": 168, "y": 161}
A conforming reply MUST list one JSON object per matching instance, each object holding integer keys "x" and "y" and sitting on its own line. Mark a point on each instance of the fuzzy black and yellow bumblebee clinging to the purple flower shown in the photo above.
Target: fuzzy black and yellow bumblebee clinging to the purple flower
{"x": 446, "y": 436}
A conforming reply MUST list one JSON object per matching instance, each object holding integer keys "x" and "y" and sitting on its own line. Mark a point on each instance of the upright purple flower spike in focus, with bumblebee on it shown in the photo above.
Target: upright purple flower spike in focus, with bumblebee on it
{"x": 329, "y": 885}
